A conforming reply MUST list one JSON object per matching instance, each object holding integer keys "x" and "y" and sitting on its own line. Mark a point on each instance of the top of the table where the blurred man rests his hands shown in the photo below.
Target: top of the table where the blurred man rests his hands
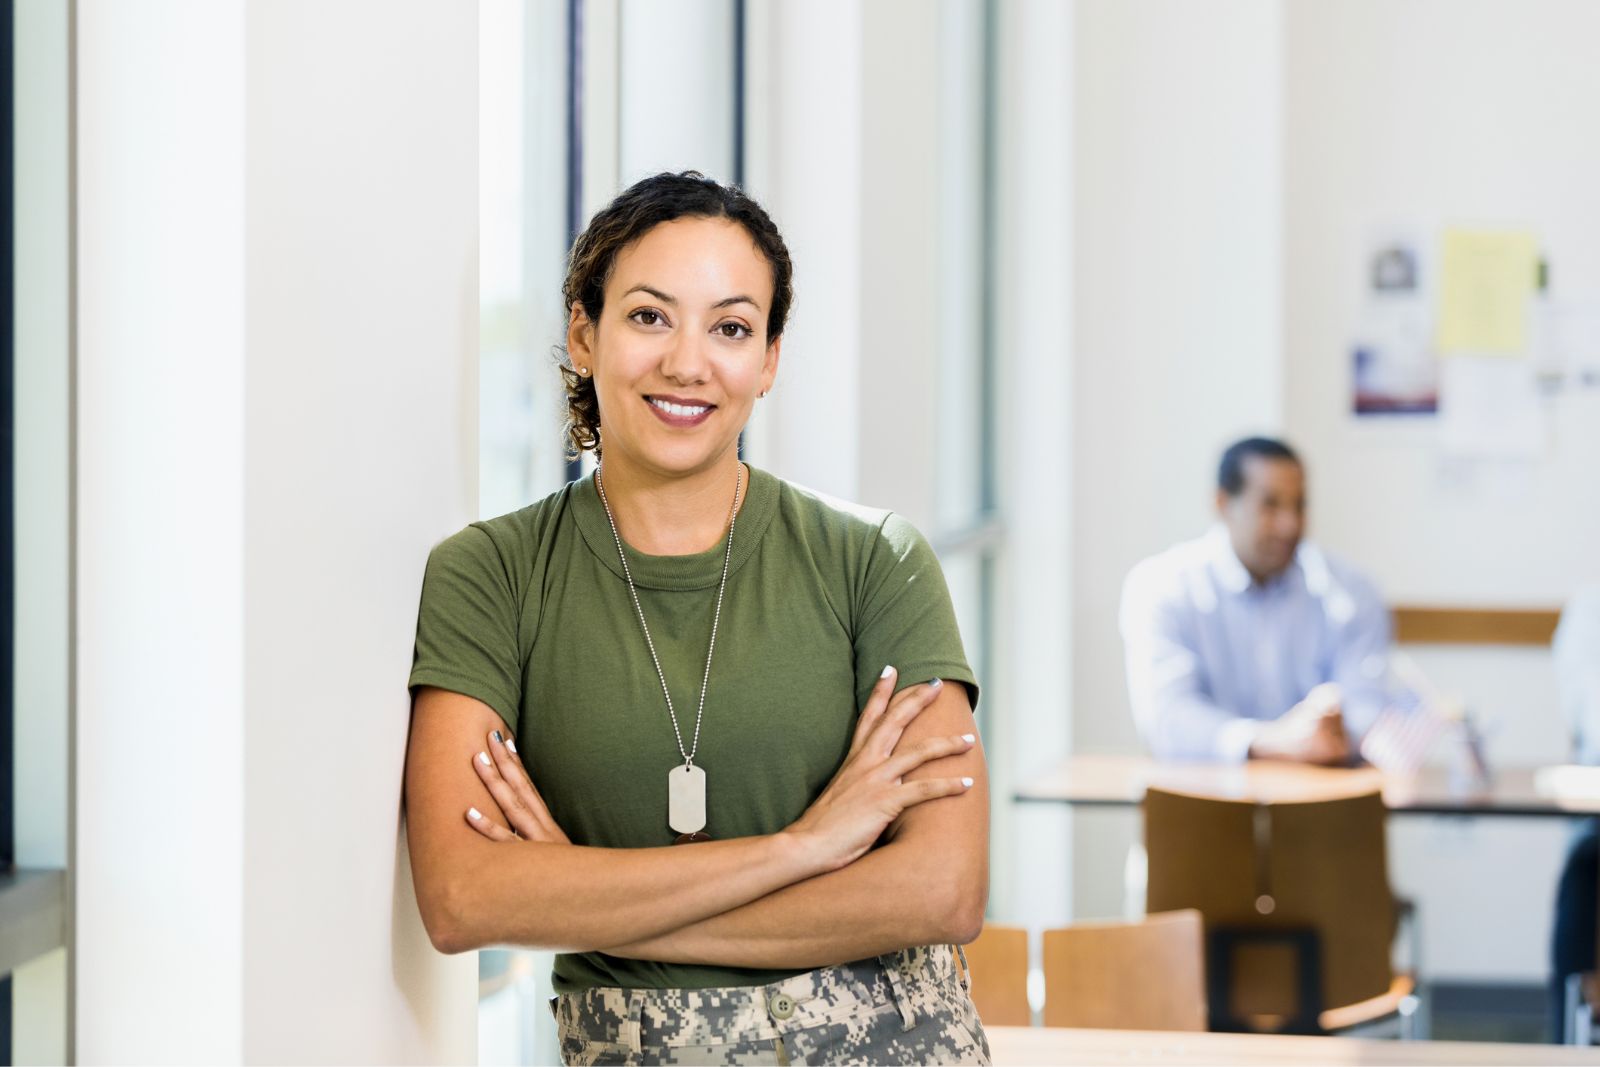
{"x": 1121, "y": 781}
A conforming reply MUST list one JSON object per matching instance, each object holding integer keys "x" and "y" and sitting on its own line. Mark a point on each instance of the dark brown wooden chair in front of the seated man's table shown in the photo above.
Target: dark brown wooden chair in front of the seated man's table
{"x": 1297, "y": 903}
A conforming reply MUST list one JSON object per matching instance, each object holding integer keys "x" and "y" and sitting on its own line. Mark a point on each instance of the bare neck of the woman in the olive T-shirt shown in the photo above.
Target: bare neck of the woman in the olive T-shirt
{"x": 674, "y": 516}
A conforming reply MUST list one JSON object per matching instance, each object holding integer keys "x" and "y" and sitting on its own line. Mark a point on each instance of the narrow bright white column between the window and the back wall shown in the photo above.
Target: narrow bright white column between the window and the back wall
{"x": 1036, "y": 391}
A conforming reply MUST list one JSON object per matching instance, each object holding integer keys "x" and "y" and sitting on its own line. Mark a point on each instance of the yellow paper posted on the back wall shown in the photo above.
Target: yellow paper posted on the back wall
{"x": 1486, "y": 282}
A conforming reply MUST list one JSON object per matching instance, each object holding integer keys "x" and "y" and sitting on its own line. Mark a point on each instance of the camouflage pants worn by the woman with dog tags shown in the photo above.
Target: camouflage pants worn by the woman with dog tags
{"x": 908, "y": 1007}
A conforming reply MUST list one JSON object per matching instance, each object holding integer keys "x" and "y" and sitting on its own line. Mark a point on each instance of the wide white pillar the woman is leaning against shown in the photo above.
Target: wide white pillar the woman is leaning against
{"x": 278, "y": 310}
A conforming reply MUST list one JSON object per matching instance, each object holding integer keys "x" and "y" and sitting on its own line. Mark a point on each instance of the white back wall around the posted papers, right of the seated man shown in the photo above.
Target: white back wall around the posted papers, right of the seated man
{"x": 1425, "y": 114}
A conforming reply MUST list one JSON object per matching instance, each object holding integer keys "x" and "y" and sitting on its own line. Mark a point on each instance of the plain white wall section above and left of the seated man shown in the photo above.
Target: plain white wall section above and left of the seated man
{"x": 1178, "y": 326}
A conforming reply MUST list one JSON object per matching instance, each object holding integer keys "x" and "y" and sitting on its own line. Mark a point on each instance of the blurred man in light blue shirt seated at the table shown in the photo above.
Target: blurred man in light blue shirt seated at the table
{"x": 1249, "y": 642}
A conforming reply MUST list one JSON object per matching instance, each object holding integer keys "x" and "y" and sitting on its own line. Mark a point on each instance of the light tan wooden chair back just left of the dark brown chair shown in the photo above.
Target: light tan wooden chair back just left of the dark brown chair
{"x": 1127, "y": 977}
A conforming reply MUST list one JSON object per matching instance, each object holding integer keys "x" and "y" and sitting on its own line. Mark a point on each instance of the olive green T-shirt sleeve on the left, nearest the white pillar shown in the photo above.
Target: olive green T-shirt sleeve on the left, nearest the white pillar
{"x": 466, "y": 626}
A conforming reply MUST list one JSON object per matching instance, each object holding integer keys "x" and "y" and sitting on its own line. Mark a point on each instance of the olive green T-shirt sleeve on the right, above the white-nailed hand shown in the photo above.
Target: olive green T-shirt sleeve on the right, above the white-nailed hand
{"x": 906, "y": 618}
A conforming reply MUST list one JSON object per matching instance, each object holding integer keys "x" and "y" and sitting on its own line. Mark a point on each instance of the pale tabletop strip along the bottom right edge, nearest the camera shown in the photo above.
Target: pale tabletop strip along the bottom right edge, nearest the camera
{"x": 1047, "y": 1045}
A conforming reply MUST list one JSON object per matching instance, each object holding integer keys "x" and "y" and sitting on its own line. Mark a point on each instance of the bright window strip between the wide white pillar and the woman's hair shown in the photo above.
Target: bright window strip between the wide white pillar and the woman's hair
{"x": 526, "y": 175}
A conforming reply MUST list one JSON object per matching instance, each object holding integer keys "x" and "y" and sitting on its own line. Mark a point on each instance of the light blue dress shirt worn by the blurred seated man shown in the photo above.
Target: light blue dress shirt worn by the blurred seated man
{"x": 1212, "y": 653}
